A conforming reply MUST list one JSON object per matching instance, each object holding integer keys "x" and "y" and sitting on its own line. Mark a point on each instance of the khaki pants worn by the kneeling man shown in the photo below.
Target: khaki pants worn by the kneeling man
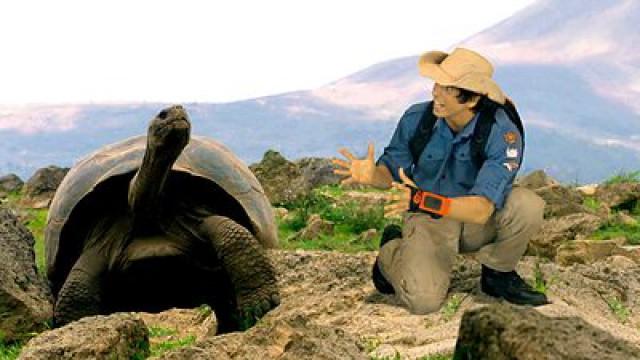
{"x": 419, "y": 265}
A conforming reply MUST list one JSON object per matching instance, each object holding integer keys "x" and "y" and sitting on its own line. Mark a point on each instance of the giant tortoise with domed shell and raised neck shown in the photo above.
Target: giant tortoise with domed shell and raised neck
{"x": 166, "y": 220}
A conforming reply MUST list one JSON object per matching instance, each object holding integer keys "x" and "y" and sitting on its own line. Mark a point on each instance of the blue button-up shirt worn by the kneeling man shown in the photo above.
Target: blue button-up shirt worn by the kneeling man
{"x": 445, "y": 166}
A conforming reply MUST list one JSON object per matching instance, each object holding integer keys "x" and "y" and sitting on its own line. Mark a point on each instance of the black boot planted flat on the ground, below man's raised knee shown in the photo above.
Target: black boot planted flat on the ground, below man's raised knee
{"x": 510, "y": 286}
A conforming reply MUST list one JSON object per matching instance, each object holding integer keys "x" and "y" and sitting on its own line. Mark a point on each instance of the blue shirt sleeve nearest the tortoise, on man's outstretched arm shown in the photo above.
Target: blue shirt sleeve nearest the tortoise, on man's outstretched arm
{"x": 397, "y": 154}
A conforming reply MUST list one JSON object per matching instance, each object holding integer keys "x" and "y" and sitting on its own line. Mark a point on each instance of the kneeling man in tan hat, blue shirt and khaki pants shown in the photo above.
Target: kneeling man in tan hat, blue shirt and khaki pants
{"x": 457, "y": 157}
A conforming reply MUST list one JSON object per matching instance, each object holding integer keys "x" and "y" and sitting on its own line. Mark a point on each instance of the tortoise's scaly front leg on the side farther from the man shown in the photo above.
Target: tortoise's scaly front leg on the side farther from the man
{"x": 81, "y": 294}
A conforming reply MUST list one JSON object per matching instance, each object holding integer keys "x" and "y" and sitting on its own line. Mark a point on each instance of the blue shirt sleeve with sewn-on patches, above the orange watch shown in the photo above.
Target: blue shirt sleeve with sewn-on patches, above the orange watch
{"x": 504, "y": 155}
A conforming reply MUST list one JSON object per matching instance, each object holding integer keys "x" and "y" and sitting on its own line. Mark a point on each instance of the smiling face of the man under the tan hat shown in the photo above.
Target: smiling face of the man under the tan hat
{"x": 446, "y": 105}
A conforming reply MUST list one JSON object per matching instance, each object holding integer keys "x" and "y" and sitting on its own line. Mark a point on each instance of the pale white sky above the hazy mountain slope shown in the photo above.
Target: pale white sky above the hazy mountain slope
{"x": 215, "y": 51}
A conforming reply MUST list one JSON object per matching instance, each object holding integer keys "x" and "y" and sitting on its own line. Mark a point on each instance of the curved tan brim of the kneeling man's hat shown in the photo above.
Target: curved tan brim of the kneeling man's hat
{"x": 429, "y": 66}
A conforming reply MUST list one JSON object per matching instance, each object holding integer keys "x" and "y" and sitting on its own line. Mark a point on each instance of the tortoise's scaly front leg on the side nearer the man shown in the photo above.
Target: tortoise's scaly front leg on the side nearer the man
{"x": 251, "y": 275}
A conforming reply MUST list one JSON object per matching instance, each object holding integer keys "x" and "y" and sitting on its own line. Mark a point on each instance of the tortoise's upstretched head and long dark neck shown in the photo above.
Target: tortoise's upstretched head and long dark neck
{"x": 167, "y": 136}
